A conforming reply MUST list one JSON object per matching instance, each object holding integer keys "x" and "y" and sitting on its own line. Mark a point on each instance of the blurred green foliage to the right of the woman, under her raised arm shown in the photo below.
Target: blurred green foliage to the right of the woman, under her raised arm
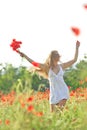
{"x": 75, "y": 74}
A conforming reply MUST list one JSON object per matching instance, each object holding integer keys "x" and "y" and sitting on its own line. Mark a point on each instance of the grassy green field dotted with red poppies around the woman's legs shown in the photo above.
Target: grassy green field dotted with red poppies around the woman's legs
{"x": 30, "y": 110}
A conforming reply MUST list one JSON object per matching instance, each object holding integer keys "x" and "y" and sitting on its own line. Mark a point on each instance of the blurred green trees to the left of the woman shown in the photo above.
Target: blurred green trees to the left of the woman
{"x": 10, "y": 77}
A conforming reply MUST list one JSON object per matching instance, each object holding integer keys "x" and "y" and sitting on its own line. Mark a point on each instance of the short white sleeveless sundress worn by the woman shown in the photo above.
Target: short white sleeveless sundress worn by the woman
{"x": 58, "y": 88}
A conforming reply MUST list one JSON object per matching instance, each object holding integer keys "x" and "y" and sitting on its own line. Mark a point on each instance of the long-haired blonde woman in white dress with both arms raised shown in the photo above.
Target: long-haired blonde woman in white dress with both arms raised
{"x": 59, "y": 92}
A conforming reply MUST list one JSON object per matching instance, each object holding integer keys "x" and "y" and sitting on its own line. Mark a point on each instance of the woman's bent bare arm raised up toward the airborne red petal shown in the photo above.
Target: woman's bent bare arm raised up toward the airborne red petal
{"x": 71, "y": 62}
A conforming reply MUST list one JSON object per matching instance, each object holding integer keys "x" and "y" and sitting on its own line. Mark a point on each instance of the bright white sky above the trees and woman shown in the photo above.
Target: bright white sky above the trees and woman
{"x": 42, "y": 26}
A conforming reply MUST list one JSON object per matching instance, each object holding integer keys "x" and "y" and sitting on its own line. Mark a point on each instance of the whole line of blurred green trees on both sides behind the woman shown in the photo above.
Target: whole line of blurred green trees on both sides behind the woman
{"x": 10, "y": 76}
